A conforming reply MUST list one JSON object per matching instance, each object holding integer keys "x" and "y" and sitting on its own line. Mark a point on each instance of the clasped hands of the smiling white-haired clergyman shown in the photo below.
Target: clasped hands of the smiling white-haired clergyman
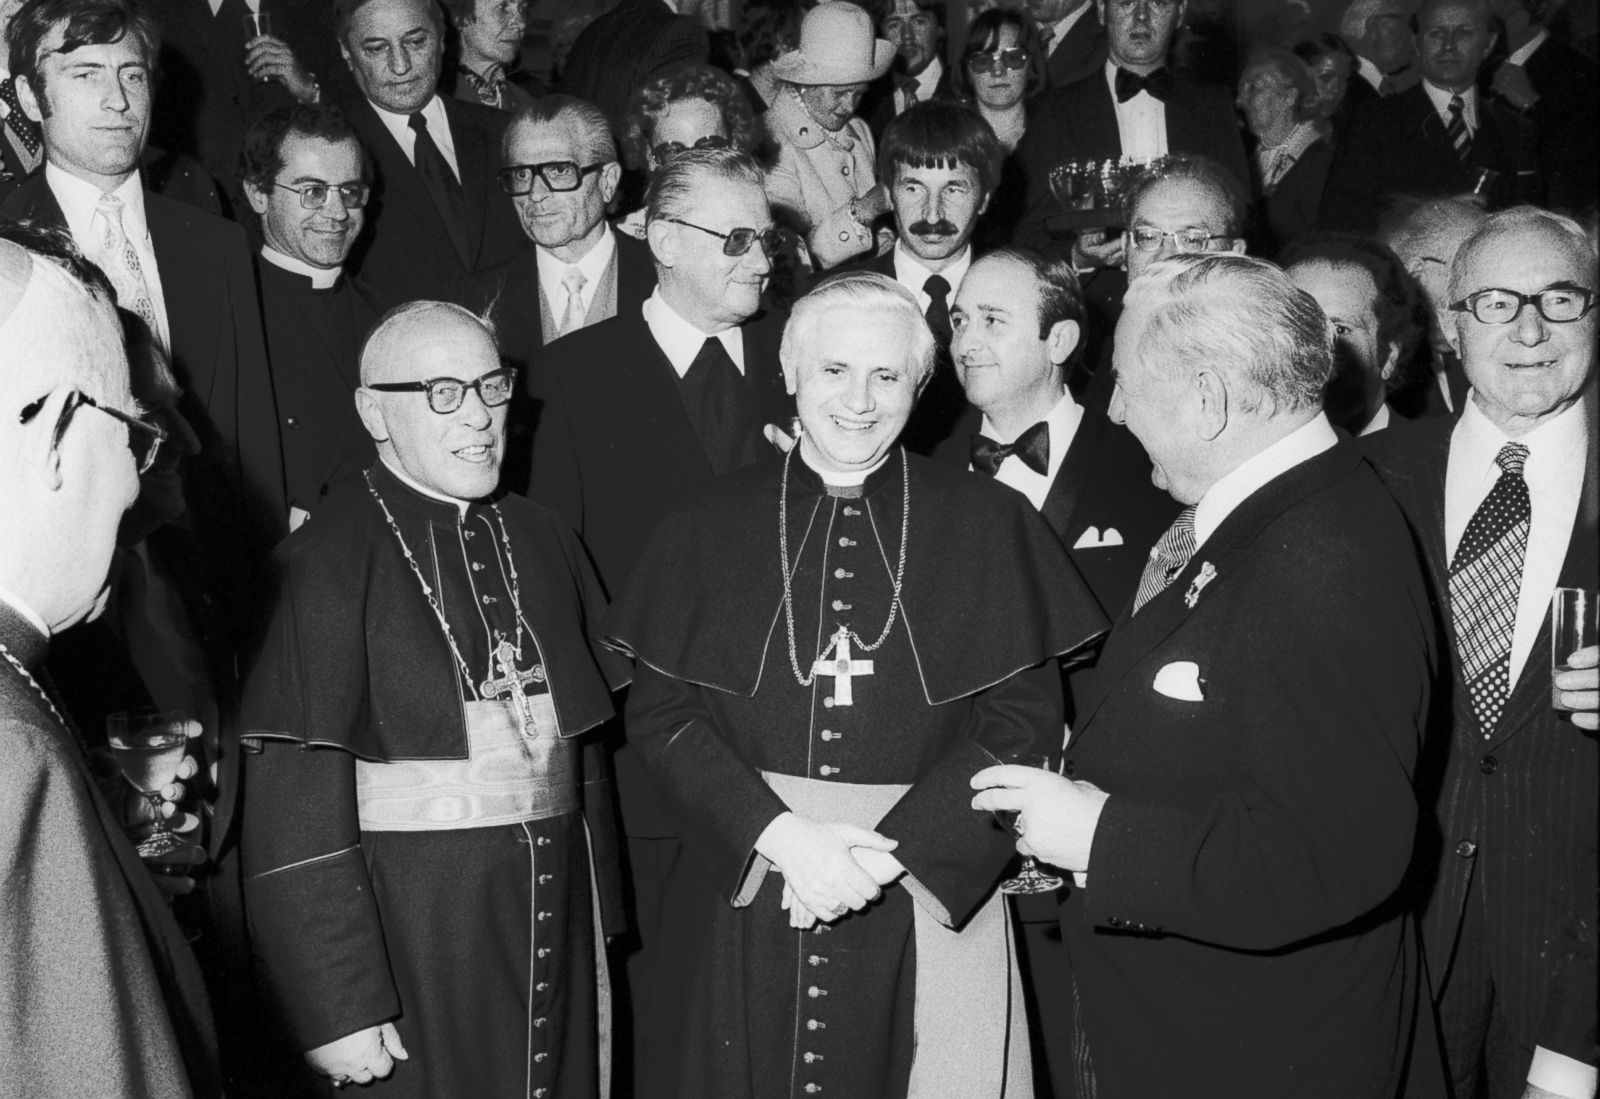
{"x": 830, "y": 868}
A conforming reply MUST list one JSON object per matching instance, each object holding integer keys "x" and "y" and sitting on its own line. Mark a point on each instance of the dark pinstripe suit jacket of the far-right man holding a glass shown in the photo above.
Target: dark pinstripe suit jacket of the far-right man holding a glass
{"x": 1518, "y": 805}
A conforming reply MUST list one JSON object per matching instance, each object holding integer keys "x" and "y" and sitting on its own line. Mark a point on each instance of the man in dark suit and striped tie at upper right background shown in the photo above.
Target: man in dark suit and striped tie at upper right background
{"x": 1442, "y": 137}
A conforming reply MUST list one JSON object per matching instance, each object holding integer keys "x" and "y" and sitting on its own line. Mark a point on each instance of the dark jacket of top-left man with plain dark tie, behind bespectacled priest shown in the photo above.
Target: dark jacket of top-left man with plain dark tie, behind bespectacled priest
{"x": 407, "y": 254}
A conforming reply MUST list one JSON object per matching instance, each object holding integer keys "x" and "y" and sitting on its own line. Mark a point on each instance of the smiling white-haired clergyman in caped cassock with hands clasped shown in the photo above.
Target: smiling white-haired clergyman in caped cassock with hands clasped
{"x": 812, "y": 740}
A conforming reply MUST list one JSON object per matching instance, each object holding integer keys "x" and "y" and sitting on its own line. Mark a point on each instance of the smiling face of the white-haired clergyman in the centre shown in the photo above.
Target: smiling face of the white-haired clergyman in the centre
{"x": 854, "y": 388}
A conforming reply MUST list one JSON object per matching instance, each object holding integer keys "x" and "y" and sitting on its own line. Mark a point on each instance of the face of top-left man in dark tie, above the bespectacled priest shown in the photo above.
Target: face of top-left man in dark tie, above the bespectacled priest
{"x": 394, "y": 50}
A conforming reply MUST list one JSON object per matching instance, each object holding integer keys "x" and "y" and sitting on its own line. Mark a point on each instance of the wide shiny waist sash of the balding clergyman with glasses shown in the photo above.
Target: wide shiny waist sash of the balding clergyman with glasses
{"x": 508, "y": 778}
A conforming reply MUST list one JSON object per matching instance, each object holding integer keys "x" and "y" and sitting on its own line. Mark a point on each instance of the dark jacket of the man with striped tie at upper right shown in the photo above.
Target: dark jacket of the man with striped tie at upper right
{"x": 1399, "y": 148}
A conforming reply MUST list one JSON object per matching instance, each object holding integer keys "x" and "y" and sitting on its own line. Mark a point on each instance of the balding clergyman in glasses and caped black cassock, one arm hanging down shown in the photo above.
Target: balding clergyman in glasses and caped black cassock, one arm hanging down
{"x": 423, "y": 823}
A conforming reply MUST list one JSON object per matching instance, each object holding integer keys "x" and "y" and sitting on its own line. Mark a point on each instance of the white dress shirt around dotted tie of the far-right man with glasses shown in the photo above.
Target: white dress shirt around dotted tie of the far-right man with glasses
{"x": 1556, "y": 479}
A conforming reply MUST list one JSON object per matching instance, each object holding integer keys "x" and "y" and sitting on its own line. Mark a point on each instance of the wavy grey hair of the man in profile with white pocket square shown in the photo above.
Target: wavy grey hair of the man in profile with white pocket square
{"x": 1242, "y": 318}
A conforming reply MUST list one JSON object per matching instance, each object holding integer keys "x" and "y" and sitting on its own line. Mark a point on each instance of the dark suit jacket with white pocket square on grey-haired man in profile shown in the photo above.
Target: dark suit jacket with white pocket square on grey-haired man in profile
{"x": 1241, "y": 906}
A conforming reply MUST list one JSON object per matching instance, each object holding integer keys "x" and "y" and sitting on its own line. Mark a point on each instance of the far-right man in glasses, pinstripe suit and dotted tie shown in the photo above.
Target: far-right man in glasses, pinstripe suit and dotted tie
{"x": 1505, "y": 508}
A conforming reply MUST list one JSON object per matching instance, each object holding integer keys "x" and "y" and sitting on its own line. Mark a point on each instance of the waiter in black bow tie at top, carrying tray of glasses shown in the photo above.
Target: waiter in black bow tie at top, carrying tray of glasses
{"x": 1132, "y": 108}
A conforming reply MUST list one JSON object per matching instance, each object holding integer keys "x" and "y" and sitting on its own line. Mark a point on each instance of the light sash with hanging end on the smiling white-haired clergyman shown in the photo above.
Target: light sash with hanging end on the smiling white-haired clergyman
{"x": 970, "y": 1018}
